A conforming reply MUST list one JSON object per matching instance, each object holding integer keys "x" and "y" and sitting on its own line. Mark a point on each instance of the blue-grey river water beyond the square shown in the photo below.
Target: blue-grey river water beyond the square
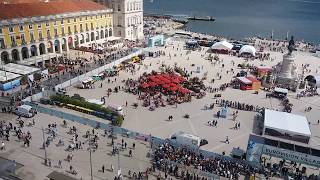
{"x": 247, "y": 18}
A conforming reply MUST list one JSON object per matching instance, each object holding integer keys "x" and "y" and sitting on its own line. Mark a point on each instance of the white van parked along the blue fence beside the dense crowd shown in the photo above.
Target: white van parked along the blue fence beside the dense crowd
{"x": 186, "y": 139}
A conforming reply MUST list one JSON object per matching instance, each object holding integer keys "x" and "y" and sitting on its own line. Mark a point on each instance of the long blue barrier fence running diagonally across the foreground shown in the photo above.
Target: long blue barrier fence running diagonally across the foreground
{"x": 128, "y": 133}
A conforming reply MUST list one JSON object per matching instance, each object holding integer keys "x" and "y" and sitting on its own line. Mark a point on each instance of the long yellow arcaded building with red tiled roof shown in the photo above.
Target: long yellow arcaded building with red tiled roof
{"x": 31, "y": 33}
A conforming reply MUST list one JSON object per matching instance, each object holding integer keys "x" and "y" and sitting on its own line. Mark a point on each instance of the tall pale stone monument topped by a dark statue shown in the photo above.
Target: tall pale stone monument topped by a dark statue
{"x": 287, "y": 75}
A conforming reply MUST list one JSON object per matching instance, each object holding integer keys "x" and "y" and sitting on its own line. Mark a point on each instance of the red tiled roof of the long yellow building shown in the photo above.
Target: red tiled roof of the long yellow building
{"x": 32, "y": 8}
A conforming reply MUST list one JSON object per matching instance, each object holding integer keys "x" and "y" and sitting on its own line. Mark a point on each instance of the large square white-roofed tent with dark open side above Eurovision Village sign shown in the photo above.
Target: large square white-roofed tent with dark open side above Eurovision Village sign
{"x": 287, "y": 126}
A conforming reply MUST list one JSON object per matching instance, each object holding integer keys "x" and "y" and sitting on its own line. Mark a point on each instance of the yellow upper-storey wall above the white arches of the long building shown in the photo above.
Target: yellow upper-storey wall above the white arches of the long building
{"x": 106, "y": 22}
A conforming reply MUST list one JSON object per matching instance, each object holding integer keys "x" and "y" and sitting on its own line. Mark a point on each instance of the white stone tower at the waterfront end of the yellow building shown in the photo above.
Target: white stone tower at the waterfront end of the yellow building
{"x": 128, "y": 17}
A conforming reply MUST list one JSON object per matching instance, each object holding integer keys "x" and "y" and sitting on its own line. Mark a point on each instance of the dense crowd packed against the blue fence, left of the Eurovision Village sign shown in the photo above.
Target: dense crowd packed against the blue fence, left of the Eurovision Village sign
{"x": 165, "y": 155}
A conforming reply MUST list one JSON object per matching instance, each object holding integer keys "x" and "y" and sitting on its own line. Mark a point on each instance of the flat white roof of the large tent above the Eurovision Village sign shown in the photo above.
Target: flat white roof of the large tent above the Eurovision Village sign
{"x": 286, "y": 123}
